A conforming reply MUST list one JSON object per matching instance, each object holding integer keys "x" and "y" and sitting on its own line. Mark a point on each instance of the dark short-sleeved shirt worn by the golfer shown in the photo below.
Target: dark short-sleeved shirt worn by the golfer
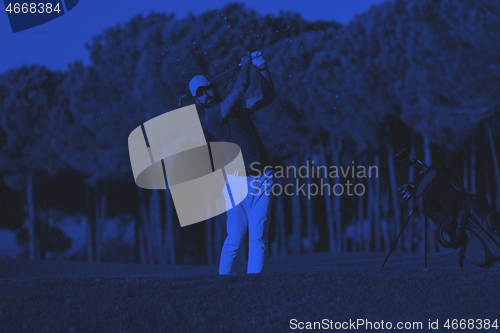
{"x": 240, "y": 129}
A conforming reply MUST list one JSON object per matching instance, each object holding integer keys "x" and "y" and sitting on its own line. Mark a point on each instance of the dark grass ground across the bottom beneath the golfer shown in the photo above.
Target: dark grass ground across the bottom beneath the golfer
{"x": 81, "y": 297}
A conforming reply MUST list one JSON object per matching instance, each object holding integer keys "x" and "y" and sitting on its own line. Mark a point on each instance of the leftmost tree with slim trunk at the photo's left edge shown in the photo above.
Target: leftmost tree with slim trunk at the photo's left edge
{"x": 27, "y": 117}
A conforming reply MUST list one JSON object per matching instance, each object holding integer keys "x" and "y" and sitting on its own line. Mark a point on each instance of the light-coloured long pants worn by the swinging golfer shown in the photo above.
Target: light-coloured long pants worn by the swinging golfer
{"x": 254, "y": 213}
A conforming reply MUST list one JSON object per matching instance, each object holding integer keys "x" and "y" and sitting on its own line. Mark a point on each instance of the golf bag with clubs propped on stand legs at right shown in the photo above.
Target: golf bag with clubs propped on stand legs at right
{"x": 466, "y": 221}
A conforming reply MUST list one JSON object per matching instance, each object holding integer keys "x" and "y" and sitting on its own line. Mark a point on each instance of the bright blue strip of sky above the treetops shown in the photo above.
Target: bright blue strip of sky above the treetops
{"x": 62, "y": 41}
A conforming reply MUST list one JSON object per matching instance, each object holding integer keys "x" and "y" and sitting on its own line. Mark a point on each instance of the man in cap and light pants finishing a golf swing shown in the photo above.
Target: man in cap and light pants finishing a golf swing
{"x": 231, "y": 119}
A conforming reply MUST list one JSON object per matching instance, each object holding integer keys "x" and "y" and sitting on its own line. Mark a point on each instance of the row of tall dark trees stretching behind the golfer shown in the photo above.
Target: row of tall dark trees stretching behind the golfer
{"x": 422, "y": 74}
